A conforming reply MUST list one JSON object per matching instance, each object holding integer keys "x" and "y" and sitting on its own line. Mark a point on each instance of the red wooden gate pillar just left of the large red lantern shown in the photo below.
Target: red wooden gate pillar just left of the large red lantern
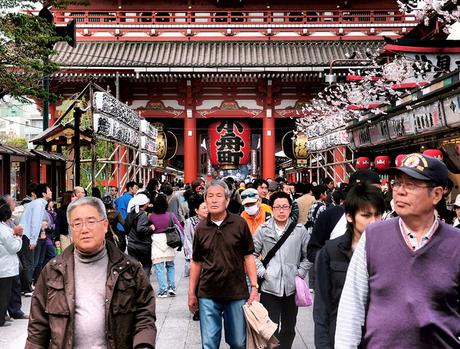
{"x": 190, "y": 139}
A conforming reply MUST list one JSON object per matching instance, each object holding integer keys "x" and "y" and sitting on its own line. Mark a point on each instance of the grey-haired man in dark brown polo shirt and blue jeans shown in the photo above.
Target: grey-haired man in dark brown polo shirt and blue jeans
{"x": 222, "y": 255}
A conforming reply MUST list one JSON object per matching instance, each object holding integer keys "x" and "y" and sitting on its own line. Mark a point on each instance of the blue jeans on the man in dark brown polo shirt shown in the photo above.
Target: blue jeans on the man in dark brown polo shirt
{"x": 211, "y": 313}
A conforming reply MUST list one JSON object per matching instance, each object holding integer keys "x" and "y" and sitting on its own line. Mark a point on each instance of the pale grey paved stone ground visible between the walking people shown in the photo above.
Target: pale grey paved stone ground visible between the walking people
{"x": 176, "y": 329}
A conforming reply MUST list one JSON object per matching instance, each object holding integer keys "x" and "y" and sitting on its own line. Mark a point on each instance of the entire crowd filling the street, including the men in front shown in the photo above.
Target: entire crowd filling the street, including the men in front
{"x": 242, "y": 242}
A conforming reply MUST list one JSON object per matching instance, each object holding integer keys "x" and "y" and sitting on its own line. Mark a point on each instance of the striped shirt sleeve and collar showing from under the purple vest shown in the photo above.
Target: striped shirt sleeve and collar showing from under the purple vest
{"x": 353, "y": 302}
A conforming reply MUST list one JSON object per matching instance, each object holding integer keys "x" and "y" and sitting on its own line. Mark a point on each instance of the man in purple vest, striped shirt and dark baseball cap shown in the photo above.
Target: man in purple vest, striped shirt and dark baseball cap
{"x": 403, "y": 284}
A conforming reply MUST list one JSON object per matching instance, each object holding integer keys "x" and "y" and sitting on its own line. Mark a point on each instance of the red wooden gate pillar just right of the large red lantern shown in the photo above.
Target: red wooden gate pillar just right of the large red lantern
{"x": 268, "y": 137}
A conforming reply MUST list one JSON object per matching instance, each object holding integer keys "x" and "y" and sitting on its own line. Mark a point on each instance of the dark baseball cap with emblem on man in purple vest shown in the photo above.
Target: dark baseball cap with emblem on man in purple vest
{"x": 424, "y": 168}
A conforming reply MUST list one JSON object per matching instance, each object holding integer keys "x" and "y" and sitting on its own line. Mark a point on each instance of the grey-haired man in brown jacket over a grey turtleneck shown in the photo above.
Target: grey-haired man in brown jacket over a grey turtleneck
{"x": 92, "y": 296}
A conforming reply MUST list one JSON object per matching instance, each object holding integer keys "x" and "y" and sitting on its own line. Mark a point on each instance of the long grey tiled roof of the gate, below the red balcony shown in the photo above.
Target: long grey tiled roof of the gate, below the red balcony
{"x": 208, "y": 54}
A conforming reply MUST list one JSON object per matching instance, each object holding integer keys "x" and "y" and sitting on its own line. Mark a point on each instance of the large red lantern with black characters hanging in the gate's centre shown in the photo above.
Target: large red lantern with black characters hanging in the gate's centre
{"x": 229, "y": 143}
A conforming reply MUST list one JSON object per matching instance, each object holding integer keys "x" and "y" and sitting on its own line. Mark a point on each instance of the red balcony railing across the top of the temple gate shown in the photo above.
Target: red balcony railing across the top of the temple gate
{"x": 251, "y": 24}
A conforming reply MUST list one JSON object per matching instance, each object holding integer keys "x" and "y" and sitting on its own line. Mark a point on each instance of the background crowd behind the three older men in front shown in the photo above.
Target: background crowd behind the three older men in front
{"x": 330, "y": 220}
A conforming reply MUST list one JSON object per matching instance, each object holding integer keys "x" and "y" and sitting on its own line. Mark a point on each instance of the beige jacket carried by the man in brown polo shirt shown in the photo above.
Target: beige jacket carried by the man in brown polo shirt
{"x": 260, "y": 329}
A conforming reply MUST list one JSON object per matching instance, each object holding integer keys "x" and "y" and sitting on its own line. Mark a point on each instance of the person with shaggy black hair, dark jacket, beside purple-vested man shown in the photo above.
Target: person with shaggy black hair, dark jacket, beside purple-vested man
{"x": 364, "y": 205}
